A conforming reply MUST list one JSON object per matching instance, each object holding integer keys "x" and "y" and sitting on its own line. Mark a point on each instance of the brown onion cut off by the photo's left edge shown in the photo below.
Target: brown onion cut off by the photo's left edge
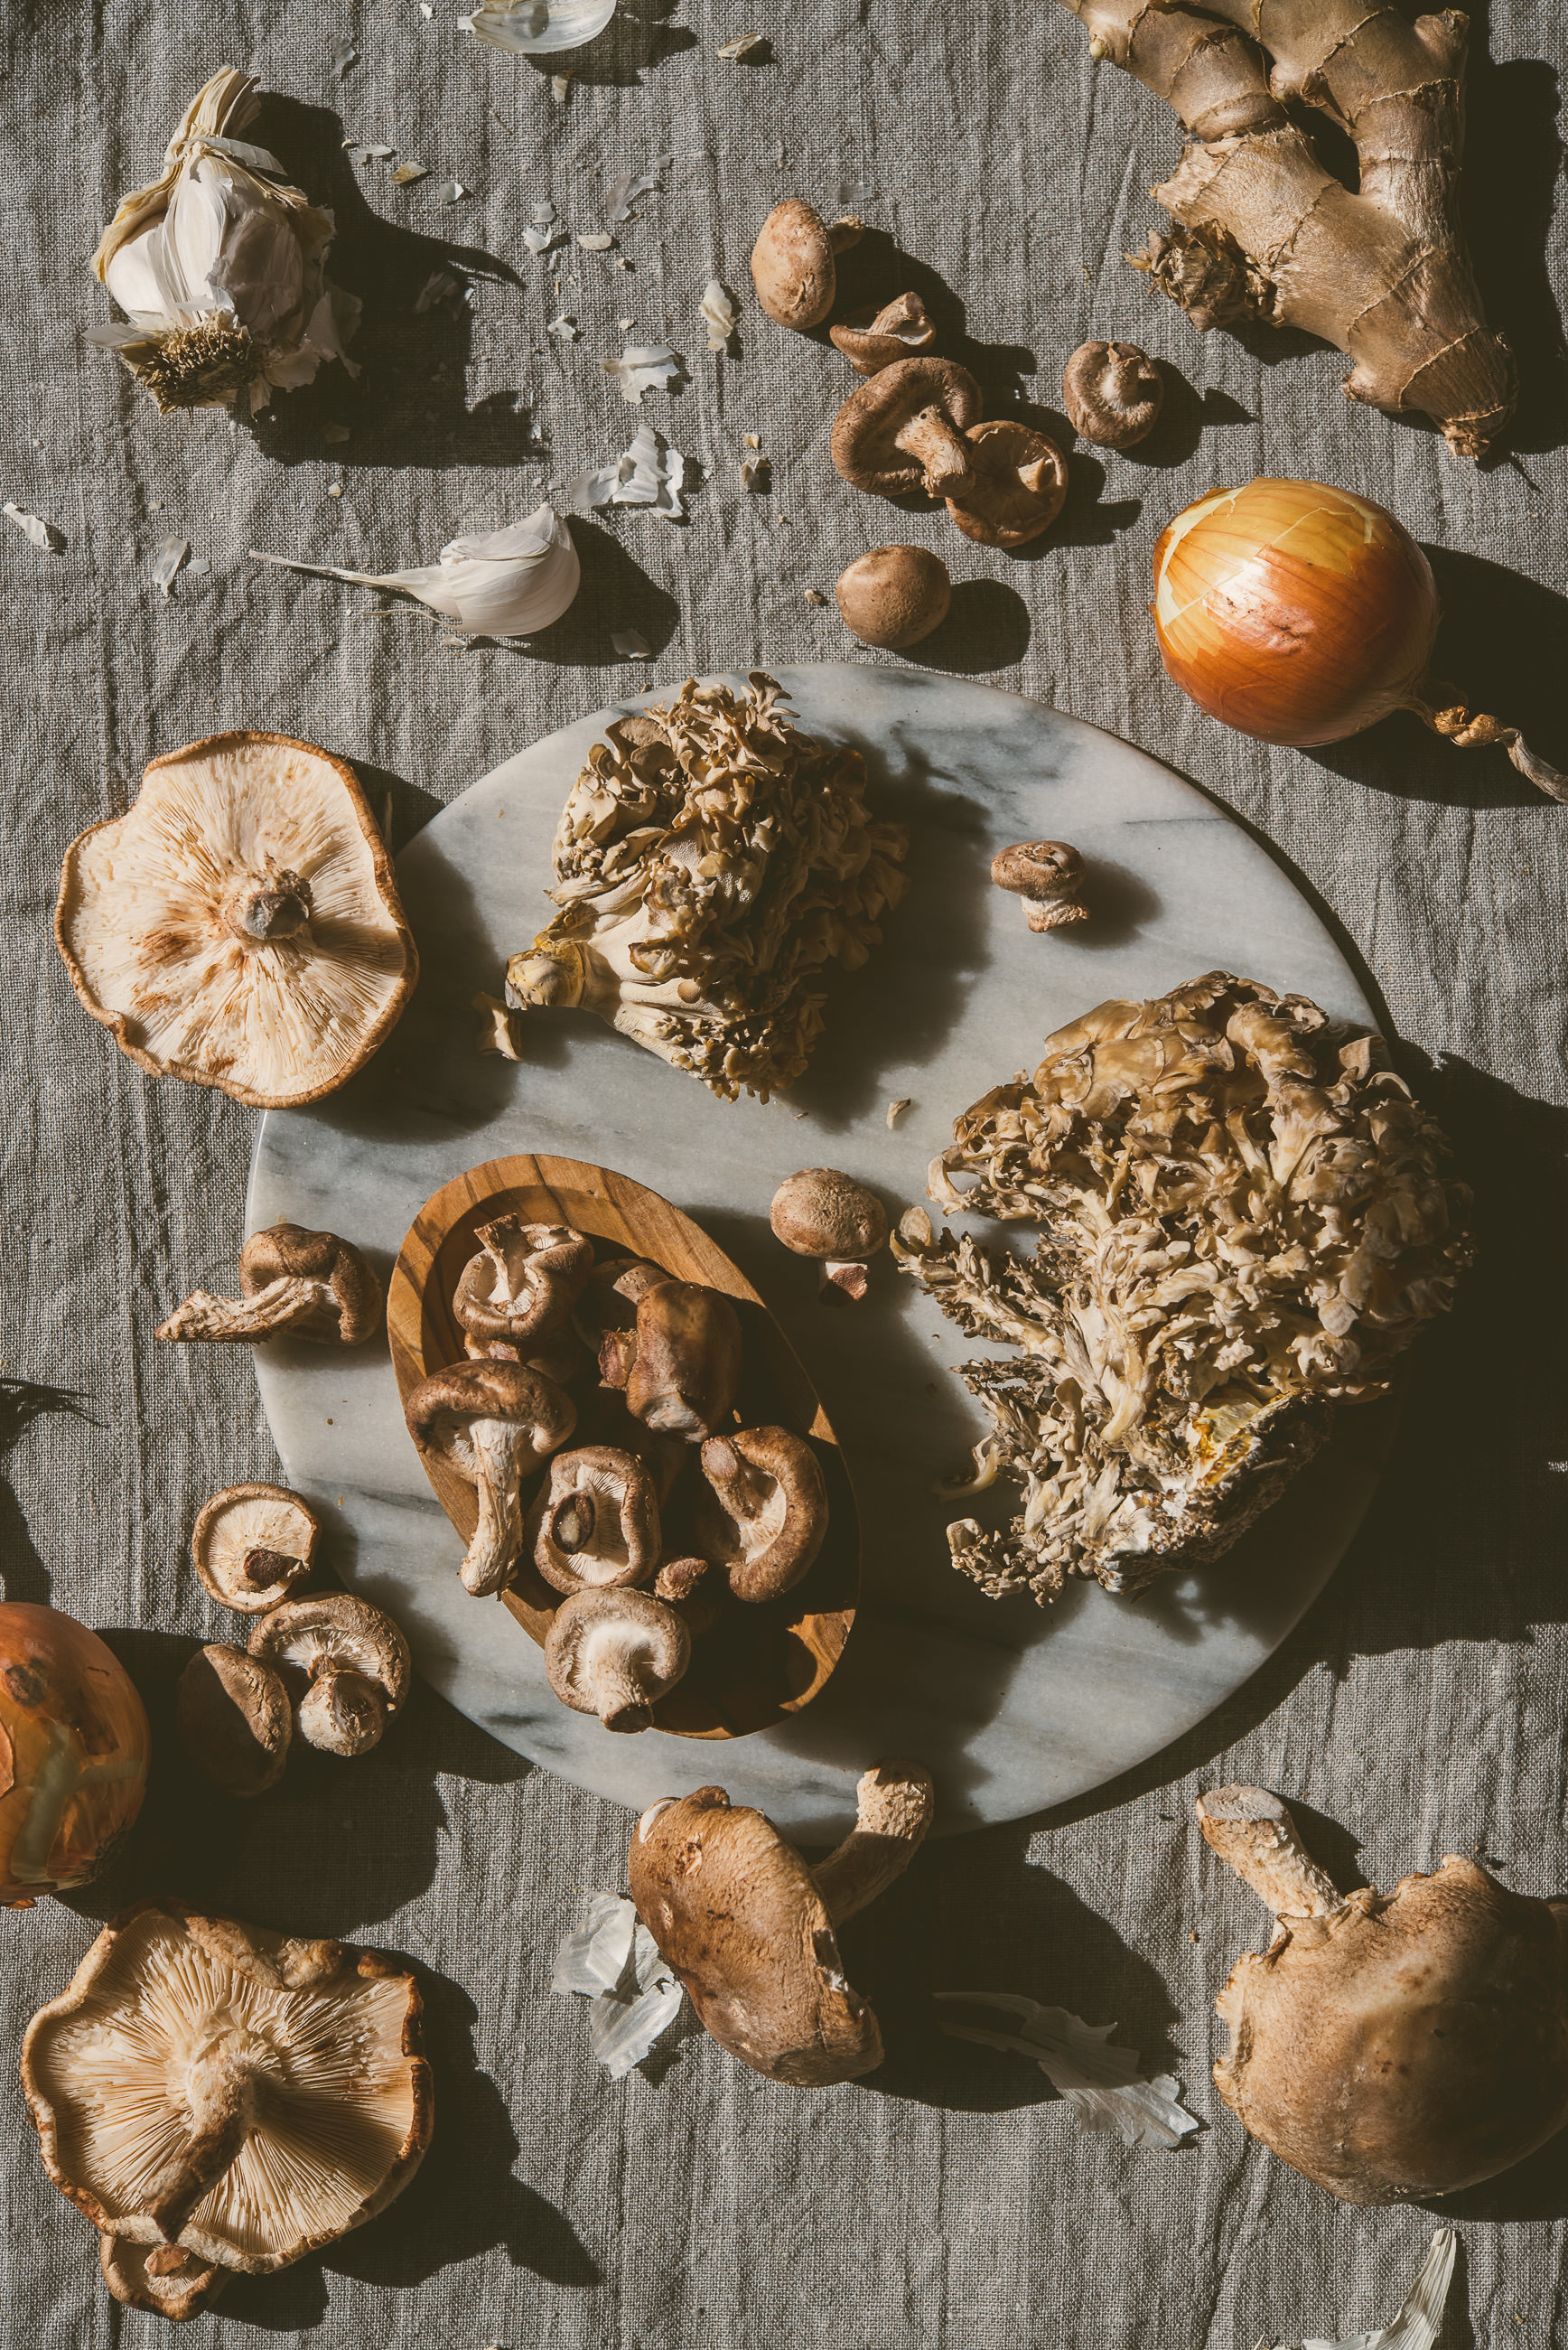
{"x": 74, "y": 1752}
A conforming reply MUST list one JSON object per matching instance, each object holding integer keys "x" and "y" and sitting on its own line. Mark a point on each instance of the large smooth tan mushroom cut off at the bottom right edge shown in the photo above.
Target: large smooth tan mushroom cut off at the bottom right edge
{"x": 1391, "y": 2046}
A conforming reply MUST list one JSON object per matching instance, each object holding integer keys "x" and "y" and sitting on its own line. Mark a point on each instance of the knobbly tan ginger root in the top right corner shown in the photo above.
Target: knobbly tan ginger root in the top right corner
{"x": 1266, "y": 231}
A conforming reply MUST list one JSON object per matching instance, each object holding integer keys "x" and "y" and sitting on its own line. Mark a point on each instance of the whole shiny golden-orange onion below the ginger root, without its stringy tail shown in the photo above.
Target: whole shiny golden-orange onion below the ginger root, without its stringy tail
{"x": 1294, "y": 612}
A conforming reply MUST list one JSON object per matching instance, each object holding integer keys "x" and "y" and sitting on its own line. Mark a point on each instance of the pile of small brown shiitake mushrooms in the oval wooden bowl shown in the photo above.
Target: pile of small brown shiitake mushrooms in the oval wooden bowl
{"x": 596, "y": 1421}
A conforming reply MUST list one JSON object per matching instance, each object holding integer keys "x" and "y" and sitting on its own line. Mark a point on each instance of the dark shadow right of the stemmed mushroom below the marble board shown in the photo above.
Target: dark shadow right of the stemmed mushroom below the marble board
{"x": 972, "y": 1914}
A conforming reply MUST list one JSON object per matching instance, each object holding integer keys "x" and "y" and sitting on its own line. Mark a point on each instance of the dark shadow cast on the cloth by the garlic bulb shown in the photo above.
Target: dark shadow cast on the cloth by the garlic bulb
{"x": 408, "y": 405}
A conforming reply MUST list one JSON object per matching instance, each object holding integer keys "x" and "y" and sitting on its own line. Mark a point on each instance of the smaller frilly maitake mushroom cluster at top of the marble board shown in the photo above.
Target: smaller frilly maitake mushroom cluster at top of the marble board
{"x": 709, "y": 866}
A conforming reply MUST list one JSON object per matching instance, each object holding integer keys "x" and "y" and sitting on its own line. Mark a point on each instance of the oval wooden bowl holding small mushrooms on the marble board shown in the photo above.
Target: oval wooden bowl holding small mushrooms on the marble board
{"x": 758, "y": 1665}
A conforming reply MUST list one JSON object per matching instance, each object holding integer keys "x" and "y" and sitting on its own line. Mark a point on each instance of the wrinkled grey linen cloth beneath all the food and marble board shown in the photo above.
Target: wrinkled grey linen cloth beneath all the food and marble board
{"x": 1419, "y": 1710}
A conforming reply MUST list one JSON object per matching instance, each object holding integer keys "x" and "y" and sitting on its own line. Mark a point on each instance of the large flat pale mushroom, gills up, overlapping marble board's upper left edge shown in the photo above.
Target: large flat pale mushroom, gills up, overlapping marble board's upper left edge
{"x": 241, "y": 925}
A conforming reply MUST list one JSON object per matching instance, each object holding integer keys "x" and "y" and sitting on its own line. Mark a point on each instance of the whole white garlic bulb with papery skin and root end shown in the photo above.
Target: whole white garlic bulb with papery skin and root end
{"x": 220, "y": 269}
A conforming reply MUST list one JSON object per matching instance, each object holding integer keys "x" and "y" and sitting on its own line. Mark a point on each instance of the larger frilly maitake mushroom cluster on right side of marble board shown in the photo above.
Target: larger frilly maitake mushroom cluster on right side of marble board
{"x": 1242, "y": 1223}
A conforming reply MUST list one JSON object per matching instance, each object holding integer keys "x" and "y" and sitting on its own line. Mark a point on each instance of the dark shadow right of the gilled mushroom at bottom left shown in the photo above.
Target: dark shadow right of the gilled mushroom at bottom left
{"x": 464, "y": 2196}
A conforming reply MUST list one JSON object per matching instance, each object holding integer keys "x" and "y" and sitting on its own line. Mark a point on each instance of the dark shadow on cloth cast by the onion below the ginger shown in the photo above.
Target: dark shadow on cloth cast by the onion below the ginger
{"x": 1501, "y": 643}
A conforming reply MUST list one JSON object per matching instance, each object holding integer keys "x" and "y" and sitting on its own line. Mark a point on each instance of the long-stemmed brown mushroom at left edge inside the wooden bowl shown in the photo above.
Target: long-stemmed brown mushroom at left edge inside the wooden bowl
{"x": 492, "y": 1423}
